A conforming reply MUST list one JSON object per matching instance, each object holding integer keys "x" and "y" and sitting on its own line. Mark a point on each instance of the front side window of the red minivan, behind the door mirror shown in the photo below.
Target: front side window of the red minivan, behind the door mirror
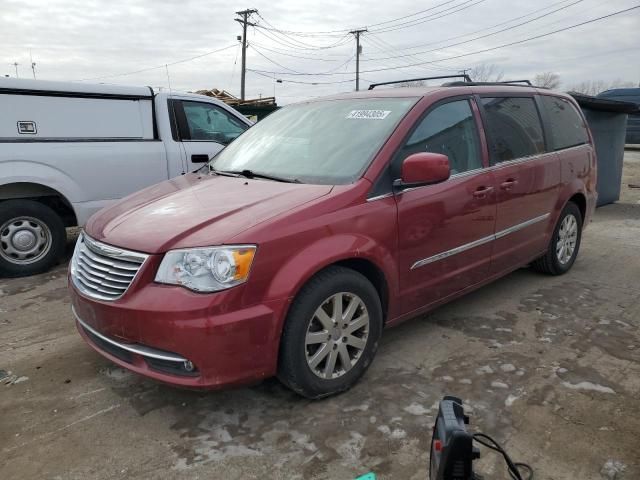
{"x": 448, "y": 129}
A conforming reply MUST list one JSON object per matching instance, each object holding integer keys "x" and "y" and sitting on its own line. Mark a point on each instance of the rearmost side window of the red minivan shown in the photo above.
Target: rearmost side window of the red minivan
{"x": 566, "y": 127}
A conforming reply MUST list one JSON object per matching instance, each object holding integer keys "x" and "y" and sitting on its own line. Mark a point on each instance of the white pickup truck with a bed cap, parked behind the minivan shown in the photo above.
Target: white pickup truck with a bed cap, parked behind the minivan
{"x": 69, "y": 149}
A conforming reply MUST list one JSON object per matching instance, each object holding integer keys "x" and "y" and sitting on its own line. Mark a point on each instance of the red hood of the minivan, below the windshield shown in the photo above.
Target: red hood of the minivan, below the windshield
{"x": 196, "y": 210}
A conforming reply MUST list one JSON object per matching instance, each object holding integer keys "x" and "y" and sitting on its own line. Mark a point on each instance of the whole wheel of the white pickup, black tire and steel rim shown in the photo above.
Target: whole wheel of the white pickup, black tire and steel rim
{"x": 32, "y": 238}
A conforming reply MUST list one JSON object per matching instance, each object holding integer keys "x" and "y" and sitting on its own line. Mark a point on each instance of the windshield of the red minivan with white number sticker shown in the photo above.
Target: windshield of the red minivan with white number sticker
{"x": 328, "y": 142}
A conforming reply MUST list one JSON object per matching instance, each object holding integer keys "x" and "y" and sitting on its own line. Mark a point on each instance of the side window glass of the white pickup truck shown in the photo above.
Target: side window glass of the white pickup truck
{"x": 210, "y": 123}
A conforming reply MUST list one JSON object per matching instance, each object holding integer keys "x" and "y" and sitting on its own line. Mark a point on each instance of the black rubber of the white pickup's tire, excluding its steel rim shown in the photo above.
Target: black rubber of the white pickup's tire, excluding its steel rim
{"x": 29, "y": 208}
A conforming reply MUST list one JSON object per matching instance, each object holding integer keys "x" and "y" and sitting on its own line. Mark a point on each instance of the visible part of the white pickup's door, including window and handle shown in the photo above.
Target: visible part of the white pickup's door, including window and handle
{"x": 204, "y": 129}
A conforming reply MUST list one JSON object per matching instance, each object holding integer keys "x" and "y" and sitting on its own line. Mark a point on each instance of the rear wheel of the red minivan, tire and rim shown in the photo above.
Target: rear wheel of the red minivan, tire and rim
{"x": 557, "y": 261}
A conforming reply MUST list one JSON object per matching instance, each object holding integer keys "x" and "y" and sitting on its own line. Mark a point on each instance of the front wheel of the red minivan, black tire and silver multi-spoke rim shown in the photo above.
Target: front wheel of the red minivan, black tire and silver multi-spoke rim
{"x": 306, "y": 368}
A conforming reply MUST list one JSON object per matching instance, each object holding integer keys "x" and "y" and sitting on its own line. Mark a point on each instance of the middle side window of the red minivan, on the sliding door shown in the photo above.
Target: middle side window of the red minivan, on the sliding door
{"x": 514, "y": 128}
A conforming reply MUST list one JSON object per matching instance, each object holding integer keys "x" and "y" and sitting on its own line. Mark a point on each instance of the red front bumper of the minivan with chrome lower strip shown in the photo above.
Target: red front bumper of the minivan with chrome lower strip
{"x": 181, "y": 338}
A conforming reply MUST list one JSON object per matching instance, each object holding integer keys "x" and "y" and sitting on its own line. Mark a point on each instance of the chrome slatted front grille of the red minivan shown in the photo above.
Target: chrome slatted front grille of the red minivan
{"x": 102, "y": 271}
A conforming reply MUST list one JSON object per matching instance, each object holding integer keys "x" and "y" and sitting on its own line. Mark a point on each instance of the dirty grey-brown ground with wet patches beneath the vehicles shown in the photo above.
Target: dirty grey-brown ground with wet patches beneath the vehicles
{"x": 549, "y": 366}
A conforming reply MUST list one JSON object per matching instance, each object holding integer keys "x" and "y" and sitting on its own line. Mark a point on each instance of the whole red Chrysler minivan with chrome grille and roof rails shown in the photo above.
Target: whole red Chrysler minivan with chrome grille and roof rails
{"x": 292, "y": 249}
